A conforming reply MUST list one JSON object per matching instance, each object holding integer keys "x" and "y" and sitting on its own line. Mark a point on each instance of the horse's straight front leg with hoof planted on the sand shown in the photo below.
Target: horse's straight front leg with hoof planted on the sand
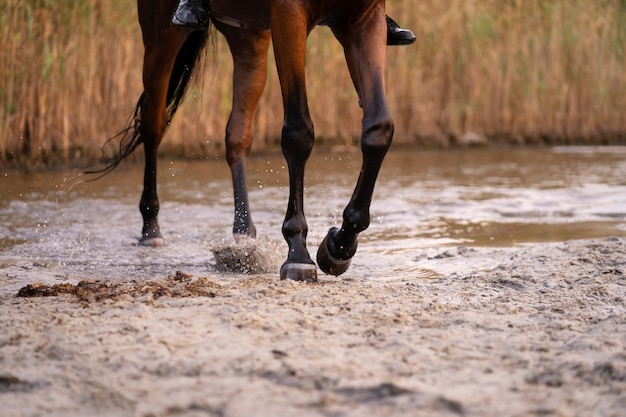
{"x": 289, "y": 33}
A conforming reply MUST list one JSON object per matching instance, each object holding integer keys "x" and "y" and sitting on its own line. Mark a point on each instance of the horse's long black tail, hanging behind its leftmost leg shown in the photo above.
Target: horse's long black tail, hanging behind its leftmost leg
{"x": 130, "y": 137}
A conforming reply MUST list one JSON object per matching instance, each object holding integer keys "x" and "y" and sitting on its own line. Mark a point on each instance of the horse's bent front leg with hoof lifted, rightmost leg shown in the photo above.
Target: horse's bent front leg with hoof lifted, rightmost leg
{"x": 364, "y": 48}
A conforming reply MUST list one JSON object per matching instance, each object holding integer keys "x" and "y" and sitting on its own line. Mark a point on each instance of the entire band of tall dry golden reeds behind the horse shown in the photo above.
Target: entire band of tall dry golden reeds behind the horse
{"x": 522, "y": 70}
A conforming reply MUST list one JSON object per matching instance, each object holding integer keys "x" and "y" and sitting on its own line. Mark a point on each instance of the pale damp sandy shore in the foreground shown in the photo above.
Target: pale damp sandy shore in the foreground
{"x": 541, "y": 334}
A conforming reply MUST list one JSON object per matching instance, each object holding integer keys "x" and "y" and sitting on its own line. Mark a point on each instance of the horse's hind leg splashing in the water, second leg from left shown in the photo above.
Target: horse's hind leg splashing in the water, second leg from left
{"x": 249, "y": 51}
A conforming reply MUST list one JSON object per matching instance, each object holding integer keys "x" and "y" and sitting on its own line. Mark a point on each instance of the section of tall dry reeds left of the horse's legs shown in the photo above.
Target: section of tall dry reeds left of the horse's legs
{"x": 70, "y": 71}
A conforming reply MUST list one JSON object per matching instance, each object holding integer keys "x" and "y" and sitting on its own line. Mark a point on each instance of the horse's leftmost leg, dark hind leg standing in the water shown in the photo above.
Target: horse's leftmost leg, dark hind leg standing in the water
{"x": 162, "y": 44}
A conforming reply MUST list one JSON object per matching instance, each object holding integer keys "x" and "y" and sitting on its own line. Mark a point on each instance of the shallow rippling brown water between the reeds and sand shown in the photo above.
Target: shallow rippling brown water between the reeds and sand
{"x": 52, "y": 226}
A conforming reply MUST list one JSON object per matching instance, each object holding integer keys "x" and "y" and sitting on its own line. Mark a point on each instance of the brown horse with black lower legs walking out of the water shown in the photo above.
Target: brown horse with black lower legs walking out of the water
{"x": 171, "y": 53}
